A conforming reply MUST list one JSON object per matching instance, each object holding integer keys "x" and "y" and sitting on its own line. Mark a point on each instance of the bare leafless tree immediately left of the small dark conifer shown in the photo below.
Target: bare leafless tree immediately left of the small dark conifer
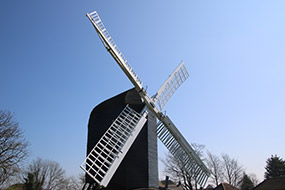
{"x": 232, "y": 170}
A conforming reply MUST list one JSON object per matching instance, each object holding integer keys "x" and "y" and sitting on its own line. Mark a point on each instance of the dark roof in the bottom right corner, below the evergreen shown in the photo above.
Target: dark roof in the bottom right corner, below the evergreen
{"x": 272, "y": 184}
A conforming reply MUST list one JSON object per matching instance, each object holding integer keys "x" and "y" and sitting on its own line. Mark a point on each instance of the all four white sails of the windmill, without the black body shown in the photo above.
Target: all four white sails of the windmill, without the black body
{"x": 104, "y": 159}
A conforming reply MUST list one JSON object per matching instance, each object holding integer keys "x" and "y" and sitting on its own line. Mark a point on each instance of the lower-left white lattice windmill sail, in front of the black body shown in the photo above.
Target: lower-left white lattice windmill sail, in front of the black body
{"x": 108, "y": 153}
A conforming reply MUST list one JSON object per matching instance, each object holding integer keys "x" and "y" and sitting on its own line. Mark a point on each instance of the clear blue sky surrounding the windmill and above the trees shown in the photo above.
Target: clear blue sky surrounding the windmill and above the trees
{"x": 54, "y": 70}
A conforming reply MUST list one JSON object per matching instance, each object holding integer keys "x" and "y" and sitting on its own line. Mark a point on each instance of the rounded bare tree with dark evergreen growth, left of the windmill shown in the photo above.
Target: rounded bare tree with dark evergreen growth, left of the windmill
{"x": 45, "y": 174}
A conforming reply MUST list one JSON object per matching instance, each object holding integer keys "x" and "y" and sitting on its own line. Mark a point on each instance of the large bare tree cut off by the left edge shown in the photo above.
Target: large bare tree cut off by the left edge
{"x": 13, "y": 146}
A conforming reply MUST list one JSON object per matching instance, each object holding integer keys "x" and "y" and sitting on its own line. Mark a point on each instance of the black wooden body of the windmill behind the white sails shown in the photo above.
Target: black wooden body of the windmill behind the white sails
{"x": 139, "y": 168}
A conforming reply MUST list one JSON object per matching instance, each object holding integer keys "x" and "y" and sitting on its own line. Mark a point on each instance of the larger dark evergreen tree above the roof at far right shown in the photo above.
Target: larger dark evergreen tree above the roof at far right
{"x": 275, "y": 167}
